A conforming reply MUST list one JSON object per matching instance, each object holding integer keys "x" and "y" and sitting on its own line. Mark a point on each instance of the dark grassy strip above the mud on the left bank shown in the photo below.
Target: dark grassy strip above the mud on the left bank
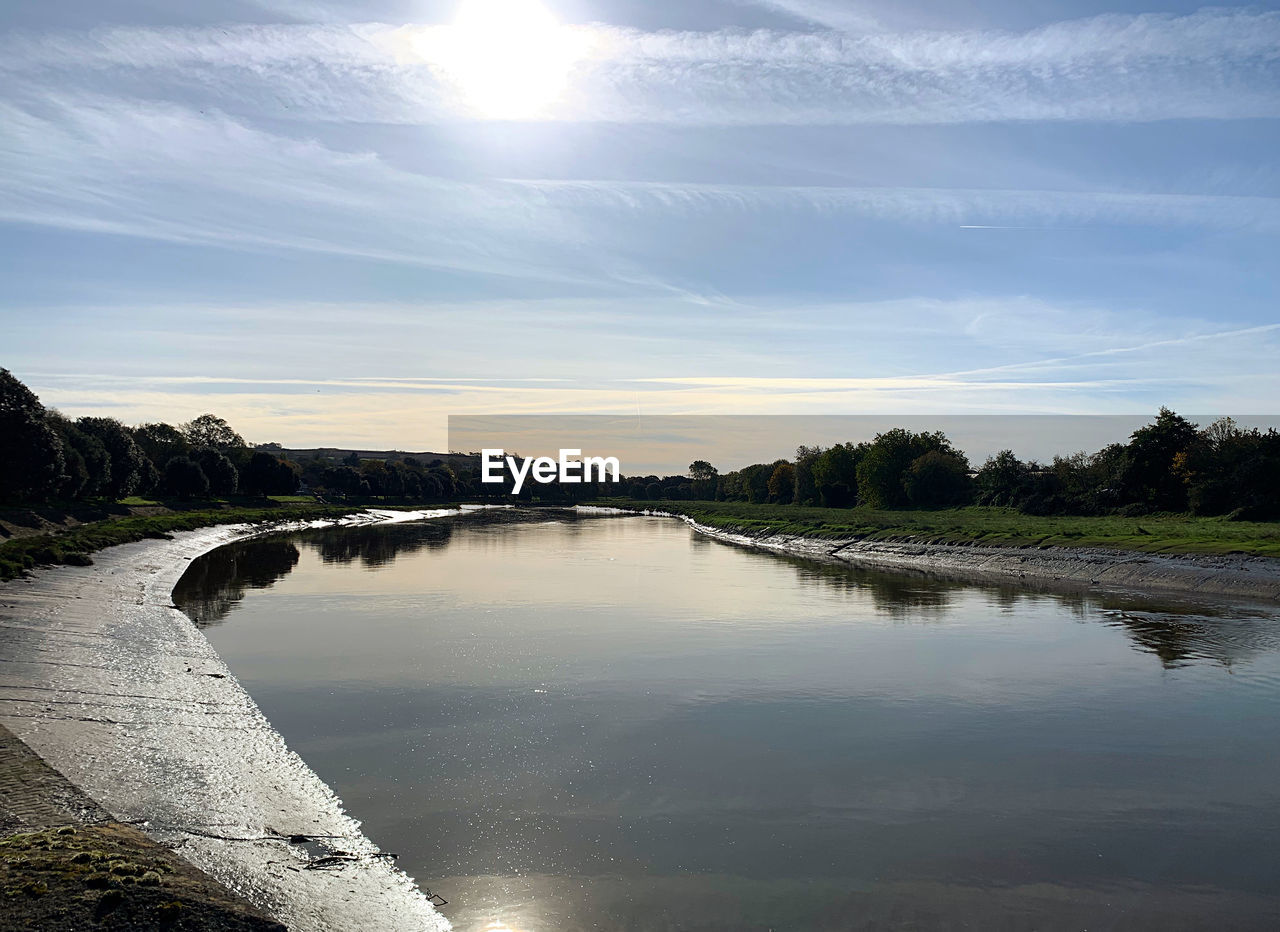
{"x": 75, "y": 546}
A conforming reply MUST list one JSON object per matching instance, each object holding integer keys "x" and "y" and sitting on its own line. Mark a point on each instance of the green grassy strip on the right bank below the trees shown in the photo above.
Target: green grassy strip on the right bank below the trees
{"x": 990, "y": 527}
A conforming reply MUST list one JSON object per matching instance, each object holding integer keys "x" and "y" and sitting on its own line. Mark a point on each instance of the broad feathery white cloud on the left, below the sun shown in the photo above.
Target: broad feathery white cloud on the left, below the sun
{"x": 171, "y": 173}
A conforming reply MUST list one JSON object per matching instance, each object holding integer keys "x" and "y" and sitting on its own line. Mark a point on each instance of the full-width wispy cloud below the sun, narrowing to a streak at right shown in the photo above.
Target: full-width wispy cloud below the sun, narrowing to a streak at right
{"x": 167, "y": 172}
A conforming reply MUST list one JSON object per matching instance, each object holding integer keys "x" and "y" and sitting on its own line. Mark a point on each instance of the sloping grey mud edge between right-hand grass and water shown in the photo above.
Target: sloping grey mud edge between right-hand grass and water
{"x": 1242, "y": 578}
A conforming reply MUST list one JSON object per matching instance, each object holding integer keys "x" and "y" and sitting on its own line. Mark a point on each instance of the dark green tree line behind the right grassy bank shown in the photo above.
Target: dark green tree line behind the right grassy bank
{"x": 1169, "y": 465}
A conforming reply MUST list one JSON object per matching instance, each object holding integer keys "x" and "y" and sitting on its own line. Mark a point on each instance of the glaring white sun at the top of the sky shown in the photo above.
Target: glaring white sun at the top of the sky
{"x": 508, "y": 58}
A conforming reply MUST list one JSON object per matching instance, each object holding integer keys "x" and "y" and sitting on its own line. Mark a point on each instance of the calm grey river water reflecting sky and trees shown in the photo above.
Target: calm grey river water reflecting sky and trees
{"x": 612, "y": 724}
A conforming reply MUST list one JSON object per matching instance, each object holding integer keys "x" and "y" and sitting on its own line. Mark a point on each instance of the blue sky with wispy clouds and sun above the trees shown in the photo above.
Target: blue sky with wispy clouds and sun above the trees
{"x": 340, "y": 223}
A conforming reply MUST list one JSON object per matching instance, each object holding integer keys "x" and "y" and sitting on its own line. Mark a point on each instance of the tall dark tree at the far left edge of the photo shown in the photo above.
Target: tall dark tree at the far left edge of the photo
{"x": 31, "y": 468}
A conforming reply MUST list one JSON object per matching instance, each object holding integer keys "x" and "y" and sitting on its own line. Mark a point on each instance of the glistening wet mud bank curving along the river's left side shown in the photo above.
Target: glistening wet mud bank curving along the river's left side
{"x": 117, "y": 689}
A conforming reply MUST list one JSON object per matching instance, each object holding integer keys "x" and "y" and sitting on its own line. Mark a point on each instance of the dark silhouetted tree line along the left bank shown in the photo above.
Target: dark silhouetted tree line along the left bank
{"x": 49, "y": 458}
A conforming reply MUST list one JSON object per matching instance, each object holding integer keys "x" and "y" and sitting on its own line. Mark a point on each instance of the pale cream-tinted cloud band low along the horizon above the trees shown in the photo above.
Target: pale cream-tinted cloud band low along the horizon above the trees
{"x": 418, "y": 421}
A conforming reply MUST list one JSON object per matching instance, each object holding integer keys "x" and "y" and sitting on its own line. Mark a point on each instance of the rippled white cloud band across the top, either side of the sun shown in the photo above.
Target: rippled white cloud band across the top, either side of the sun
{"x": 1209, "y": 65}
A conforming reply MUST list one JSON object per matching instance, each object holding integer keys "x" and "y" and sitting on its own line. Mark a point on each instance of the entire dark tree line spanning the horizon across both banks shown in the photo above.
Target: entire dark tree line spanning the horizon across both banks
{"x": 1169, "y": 465}
